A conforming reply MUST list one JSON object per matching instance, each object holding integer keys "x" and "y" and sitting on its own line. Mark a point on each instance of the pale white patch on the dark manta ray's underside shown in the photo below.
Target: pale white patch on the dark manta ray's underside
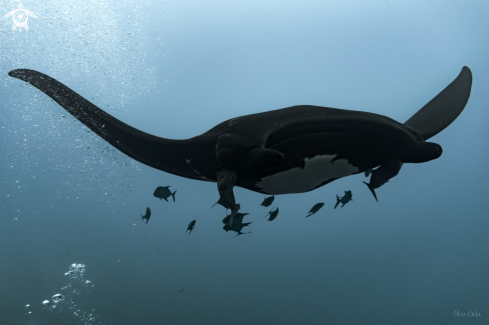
{"x": 315, "y": 172}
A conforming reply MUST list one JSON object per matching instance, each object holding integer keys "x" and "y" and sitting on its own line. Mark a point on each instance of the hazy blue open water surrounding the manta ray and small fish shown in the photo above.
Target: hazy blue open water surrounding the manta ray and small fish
{"x": 69, "y": 202}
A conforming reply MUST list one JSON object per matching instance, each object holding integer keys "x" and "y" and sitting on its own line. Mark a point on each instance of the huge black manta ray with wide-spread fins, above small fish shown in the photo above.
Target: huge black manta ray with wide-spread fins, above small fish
{"x": 290, "y": 150}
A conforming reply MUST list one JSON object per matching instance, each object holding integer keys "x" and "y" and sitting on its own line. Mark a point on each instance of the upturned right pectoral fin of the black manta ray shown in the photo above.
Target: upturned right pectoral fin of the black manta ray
{"x": 442, "y": 110}
